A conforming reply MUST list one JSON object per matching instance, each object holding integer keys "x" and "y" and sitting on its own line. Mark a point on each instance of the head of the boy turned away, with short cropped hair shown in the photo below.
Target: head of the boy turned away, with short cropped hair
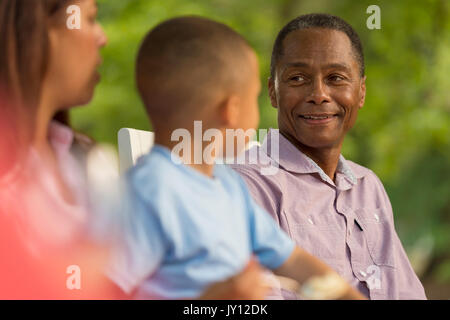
{"x": 192, "y": 68}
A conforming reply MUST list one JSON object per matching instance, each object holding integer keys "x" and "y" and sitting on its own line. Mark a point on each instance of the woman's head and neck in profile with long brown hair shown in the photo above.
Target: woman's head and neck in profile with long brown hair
{"x": 45, "y": 67}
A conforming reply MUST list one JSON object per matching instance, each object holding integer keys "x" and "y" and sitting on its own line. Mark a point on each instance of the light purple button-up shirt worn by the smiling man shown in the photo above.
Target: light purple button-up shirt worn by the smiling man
{"x": 348, "y": 223}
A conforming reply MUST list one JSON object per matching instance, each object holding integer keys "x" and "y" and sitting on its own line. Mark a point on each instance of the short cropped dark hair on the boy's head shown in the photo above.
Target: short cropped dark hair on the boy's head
{"x": 187, "y": 63}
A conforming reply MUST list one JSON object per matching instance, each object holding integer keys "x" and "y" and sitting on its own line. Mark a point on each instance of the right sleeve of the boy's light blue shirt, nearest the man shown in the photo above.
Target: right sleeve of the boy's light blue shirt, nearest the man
{"x": 270, "y": 244}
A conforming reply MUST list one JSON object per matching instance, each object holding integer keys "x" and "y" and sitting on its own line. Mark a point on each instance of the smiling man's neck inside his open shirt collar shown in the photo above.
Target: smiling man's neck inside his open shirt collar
{"x": 326, "y": 158}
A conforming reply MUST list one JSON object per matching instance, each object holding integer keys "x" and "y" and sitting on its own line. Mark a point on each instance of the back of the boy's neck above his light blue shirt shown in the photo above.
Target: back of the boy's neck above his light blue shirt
{"x": 202, "y": 167}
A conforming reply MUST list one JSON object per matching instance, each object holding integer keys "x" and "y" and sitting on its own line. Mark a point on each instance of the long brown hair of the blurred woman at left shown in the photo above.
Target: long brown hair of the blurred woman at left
{"x": 24, "y": 60}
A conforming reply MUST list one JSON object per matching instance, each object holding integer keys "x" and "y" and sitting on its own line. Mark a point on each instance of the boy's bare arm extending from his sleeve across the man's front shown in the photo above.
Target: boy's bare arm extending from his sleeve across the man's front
{"x": 311, "y": 272}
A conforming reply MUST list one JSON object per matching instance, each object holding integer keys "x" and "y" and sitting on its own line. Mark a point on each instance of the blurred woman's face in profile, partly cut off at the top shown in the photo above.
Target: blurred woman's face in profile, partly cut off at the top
{"x": 74, "y": 55}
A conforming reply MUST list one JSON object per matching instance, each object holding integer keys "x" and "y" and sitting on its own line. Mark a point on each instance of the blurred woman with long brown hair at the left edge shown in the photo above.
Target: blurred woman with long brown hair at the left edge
{"x": 46, "y": 68}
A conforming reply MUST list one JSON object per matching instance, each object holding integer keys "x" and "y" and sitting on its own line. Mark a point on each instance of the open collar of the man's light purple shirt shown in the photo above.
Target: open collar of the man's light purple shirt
{"x": 293, "y": 160}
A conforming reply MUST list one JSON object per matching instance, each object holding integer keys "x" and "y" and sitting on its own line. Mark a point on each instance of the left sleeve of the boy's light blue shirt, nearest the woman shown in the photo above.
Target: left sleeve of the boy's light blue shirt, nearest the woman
{"x": 140, "y": 246}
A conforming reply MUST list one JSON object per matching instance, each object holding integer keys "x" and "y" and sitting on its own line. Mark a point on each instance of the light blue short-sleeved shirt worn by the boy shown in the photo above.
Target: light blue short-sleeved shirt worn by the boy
{"x": 186, "y": 231}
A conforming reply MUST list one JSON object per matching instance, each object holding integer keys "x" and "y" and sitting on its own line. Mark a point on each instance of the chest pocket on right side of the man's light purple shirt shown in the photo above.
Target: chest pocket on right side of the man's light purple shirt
{"x": 379, "y": 234}
